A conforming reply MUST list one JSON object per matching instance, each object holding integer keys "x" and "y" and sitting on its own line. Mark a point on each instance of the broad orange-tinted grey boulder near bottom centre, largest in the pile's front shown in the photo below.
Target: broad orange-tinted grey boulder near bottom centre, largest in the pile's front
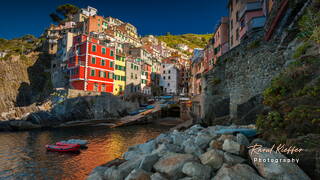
{"x": 172, "y": 164}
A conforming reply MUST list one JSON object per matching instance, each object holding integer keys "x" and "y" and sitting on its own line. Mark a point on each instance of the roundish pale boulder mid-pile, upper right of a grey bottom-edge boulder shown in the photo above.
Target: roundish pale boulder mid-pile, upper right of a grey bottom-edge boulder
{"x": 212, "y": 158}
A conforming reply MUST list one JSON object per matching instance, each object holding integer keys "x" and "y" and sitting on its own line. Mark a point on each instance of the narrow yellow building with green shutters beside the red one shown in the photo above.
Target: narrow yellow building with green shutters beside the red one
{"x": 119, "y": 74}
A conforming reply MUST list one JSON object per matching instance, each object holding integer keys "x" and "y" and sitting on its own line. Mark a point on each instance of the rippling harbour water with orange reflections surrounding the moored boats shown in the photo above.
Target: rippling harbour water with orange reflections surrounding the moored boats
{"x": 22, "y": 154}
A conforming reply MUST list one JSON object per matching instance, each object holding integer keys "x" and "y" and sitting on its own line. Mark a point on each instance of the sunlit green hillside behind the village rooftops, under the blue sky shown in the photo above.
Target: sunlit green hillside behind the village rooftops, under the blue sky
{"x": 191, "y": 40}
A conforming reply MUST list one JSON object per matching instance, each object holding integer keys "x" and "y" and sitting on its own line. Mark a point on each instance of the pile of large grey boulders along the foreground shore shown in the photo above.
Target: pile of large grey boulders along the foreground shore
{"x": 200, "y": 153}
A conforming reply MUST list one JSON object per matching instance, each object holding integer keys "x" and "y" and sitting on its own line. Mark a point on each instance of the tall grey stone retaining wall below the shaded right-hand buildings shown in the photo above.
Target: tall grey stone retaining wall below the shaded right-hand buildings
{"x": 233, "y": 88}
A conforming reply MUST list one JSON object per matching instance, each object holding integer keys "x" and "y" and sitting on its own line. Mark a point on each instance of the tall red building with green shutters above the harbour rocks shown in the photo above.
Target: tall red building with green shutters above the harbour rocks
{"x": 91, "y": 67}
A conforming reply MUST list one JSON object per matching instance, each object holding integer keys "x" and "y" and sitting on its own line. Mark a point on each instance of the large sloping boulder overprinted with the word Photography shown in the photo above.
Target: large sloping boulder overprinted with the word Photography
{"x": 276, "y": 170}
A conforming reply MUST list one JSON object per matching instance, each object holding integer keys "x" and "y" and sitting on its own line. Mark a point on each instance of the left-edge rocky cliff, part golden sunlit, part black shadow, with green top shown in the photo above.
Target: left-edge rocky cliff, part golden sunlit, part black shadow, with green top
{"x": 24, "y": 77}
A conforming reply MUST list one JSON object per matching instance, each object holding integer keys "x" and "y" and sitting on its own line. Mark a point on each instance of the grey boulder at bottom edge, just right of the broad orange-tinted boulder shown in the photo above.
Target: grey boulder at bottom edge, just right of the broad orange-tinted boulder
{"x": 197, "y": 170}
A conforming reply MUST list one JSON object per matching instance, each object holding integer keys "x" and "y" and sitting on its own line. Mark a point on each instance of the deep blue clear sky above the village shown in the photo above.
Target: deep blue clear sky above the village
{"x": 157, "y": 17}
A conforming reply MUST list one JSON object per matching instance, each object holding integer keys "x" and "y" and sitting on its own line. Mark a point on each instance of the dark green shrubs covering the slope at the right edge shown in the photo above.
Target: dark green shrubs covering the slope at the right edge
{"x": 294, "y": 96}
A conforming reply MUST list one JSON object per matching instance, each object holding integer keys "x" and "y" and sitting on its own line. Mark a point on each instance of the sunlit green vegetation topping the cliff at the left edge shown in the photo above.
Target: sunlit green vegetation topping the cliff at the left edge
{"x": 19, "y": 46}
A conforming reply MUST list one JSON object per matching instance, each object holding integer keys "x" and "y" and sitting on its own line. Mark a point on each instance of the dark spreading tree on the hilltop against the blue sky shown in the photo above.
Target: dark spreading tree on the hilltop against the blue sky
{"x": 66, "y": 11}
